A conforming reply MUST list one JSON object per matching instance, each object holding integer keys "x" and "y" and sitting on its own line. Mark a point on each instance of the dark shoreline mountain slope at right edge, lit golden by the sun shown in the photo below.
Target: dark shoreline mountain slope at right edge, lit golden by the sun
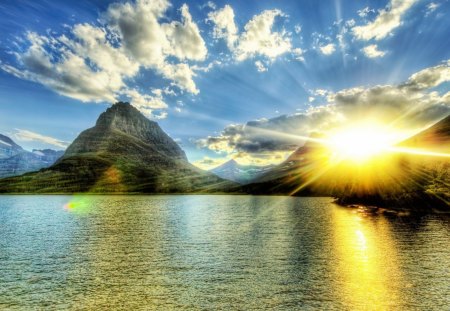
{"x": 425, "y": 179}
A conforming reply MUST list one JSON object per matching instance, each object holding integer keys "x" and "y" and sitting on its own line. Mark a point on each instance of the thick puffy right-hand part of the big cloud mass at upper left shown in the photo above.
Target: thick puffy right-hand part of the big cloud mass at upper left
{"x": 153, "y": 43}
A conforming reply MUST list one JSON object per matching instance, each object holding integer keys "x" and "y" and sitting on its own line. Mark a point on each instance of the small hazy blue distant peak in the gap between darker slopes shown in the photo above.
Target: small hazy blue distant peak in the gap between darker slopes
{"x": 242, "y": 174}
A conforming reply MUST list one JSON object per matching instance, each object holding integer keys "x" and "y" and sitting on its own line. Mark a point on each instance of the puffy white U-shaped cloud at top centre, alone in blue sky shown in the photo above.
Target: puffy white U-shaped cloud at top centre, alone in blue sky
{"x": 257, "y": 38}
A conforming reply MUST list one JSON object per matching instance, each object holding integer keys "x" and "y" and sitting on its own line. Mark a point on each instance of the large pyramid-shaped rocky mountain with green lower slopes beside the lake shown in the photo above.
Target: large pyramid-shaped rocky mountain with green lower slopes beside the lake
{"x": 123, "y": 152}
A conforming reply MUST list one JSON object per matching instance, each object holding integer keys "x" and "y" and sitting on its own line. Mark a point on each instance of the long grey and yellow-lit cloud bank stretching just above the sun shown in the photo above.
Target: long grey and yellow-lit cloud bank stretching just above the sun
{"x": 407, "y": 107}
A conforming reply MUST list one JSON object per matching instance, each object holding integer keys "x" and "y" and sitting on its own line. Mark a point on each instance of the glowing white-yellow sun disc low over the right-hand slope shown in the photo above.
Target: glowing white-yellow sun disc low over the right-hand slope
{"x": 361, "y": 142}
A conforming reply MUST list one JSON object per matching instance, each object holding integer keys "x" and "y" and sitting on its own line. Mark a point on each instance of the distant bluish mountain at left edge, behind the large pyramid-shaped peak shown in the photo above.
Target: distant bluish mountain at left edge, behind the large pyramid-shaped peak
{"x": 15, "y": 160}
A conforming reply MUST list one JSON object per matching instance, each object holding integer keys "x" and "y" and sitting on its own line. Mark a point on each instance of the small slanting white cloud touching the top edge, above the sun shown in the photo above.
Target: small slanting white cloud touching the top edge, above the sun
{"x": 387, "y": 20}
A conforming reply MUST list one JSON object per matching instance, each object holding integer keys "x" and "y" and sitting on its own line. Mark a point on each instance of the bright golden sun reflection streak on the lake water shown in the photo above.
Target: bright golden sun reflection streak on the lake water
{"x": 367, "y": 273}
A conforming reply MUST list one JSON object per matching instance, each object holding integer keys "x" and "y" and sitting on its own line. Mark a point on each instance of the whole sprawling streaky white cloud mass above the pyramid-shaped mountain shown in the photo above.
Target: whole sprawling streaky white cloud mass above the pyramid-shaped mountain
{"x": 95, "y": 63}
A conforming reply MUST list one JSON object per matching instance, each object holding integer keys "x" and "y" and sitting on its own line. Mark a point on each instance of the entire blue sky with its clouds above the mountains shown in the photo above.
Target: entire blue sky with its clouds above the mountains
{"x": 226, "y": 79}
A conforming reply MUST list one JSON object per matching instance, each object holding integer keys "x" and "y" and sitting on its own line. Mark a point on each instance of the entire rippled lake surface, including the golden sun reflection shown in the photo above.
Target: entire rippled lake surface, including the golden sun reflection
{"x": 217, "y": 252}
